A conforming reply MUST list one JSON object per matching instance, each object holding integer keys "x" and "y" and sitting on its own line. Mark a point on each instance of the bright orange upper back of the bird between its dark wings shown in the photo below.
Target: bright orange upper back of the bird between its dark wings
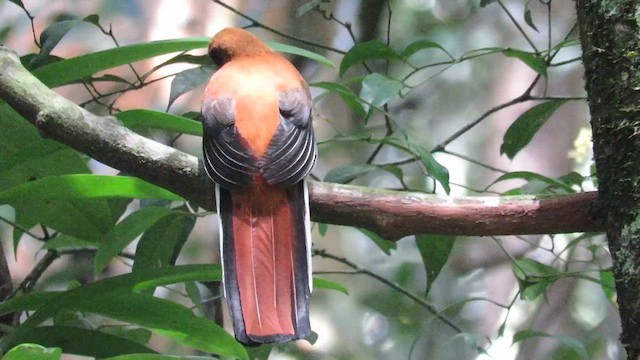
{"x": 254, "y": 83}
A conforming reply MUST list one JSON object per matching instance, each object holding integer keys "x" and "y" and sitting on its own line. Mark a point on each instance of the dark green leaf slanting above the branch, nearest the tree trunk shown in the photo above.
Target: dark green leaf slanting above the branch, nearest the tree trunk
{"x": 520, "y": 133}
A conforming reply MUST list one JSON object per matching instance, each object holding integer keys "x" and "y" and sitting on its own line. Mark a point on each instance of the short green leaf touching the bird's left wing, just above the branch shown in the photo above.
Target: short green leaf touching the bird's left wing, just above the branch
{"x": 153, "y": 119}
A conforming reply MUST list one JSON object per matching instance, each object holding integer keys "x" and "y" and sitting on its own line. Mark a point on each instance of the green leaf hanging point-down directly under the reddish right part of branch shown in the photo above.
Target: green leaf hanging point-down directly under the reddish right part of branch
{"x": 435, "y": 251}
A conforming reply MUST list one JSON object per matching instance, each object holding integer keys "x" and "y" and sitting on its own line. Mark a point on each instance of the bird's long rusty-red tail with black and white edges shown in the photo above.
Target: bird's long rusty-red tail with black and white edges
{"x": 265, "y": 247}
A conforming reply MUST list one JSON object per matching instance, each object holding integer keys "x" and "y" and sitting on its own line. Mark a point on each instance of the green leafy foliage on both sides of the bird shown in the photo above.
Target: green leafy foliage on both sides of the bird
{"x": 53, "y": 191}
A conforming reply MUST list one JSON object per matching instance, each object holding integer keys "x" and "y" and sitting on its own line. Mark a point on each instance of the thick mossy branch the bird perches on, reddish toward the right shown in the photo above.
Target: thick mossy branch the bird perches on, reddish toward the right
{"x": 391, "y": 214}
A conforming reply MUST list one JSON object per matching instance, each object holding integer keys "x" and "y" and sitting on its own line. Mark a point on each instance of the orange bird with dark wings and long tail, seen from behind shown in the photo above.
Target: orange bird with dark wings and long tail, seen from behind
{"x": 258, "y": 146}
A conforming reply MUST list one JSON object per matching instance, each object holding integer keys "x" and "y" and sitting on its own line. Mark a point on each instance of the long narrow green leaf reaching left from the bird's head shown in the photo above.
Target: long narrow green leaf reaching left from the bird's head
{"x": 69, "y": 70}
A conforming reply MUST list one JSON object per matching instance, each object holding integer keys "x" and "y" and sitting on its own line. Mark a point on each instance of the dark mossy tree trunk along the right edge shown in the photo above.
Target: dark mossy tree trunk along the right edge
{"x": 611, "y": 55}
